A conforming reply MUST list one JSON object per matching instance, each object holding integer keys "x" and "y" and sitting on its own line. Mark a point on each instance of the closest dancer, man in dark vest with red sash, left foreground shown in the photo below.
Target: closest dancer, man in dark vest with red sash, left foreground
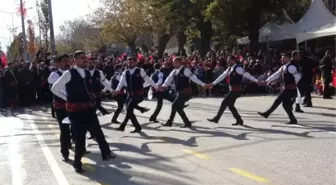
{"x": 75, "y": 86}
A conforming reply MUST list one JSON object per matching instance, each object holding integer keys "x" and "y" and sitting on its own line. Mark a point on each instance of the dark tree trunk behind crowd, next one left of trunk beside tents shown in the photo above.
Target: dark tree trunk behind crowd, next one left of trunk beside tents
{"x": 206, "y": 36}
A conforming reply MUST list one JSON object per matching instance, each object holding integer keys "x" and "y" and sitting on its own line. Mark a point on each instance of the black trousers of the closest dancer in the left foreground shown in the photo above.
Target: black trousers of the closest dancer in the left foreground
{"x": 80, "y": 121}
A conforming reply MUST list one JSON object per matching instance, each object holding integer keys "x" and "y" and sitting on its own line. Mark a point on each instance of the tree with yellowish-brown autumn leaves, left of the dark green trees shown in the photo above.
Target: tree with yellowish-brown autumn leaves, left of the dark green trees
{"x": 123, "y": 21}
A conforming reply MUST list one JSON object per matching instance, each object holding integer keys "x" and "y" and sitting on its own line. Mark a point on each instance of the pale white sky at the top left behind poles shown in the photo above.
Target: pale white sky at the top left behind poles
{"x": 63, "y": 10}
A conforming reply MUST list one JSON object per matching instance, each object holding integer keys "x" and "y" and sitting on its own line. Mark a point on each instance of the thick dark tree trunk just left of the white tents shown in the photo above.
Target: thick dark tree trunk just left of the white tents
{"x": 253, "y": 16}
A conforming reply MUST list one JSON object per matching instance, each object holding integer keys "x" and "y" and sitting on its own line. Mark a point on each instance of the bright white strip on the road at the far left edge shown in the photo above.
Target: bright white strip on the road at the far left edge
{"x": 14, "y": 149}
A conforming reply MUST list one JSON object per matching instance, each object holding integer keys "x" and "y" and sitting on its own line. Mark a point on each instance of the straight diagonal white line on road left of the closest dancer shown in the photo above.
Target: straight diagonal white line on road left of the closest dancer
{"x": 55, "y": 168}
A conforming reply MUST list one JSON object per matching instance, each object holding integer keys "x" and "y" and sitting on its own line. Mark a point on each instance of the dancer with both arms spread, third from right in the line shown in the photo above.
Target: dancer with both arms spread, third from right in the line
{"x": 181, "y": 77}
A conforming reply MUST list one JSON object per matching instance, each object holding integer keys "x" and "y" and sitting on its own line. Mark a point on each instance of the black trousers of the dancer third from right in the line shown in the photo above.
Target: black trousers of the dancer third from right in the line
{"x": 178, "y": 107}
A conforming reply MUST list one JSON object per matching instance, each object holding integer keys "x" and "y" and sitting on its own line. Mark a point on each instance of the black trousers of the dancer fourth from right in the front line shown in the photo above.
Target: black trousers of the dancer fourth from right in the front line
{"x": 132, "y": 102}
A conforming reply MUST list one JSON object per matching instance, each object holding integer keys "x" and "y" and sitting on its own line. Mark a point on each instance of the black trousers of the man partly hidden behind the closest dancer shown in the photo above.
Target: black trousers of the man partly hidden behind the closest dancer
{"x": 65, "y": 131}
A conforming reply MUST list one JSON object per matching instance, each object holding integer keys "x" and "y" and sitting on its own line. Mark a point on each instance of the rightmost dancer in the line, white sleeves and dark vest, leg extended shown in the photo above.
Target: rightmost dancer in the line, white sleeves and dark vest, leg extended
{"x": 291, "y": 77}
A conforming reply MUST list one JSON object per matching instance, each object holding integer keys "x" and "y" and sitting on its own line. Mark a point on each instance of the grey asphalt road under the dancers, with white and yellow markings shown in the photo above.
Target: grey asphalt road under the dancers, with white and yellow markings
{"x": 261, "y": 152}
